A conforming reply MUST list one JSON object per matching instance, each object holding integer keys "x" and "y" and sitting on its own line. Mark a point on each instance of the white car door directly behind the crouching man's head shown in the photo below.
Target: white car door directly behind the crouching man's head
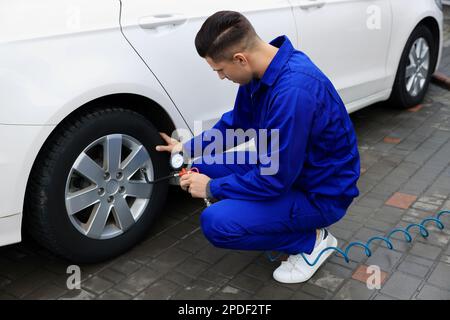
{"x": 163, "y": 34}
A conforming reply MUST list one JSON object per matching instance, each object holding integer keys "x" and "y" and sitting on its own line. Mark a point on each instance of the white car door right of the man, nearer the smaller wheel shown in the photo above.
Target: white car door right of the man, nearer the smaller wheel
{"x": 348, "y": 40}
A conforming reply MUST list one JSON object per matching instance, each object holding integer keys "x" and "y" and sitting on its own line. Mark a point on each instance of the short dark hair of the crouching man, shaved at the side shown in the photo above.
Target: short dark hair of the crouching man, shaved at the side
{"x": 222, "y": 33}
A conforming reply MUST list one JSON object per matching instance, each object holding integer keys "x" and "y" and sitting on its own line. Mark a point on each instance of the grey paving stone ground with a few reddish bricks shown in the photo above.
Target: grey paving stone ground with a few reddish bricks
{"x": 405, "y": 178}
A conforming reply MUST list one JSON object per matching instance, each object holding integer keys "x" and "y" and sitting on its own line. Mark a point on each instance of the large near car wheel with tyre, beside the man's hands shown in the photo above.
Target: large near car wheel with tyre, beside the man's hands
{"x": 87, "y": 199}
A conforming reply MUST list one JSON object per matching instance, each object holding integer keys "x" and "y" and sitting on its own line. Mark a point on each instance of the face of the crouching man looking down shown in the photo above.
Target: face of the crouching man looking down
{"x": 236, "y": 70}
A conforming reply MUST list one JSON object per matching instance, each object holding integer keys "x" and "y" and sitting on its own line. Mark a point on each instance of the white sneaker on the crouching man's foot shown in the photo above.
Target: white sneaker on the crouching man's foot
{"x": 296, "y": 270}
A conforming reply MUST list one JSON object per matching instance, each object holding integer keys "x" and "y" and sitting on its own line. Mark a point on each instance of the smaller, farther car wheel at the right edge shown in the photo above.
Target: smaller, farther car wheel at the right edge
{"x": 415, "y": 69}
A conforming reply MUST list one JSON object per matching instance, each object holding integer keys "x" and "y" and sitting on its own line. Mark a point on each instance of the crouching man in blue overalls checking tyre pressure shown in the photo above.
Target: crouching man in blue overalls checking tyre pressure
{"x": 287, "y": 211}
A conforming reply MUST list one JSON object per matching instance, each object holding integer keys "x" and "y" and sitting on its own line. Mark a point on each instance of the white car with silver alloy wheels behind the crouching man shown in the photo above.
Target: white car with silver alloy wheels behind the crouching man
{"x": 87, "y": 85}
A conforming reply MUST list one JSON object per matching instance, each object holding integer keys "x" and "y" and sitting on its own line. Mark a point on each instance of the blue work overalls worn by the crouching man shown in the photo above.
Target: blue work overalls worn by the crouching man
{"x": 318, "y": 168}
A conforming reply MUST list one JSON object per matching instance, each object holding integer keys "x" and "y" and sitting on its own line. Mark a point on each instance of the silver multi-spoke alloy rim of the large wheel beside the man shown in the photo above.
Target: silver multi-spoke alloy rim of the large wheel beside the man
{"x": 106, "y": 193}
